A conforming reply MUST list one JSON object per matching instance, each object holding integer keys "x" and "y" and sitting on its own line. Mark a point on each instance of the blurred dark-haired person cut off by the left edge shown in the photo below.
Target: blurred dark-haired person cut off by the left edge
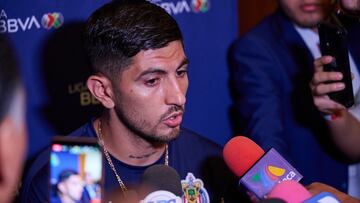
{"x": 12, "y": 123}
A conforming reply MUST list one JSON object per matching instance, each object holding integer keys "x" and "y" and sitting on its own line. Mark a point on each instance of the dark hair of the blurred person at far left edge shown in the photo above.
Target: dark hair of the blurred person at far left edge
{"x": 9, "y": 76}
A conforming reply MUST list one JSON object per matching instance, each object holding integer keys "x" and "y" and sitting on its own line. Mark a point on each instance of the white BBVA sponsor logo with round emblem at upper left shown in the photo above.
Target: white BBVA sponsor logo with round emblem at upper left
{"x": 15, "y": 24}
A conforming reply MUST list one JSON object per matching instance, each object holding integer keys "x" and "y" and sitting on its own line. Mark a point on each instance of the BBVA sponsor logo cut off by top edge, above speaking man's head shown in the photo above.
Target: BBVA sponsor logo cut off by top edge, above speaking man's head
{"x": 183, "y": 6}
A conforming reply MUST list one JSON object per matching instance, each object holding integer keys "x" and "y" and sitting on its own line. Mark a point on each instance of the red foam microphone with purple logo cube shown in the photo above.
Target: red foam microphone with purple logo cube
{"x": 259, "y": 171}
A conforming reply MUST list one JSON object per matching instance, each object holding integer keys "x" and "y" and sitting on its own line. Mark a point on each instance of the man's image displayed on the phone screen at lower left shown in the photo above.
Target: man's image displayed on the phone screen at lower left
{"x": 70, "y": 187}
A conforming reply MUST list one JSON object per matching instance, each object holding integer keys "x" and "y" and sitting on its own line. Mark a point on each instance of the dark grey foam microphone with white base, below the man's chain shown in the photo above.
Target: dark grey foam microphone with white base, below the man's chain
{"x": 160, "y": 183}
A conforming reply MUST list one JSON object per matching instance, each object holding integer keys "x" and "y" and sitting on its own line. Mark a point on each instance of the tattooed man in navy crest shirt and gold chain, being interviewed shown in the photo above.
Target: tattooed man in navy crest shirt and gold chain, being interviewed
{"x": 140, "y": 77}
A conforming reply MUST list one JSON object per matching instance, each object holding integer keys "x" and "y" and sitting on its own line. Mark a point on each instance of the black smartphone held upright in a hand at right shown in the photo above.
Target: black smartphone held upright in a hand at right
{"x": 333, "y": 42}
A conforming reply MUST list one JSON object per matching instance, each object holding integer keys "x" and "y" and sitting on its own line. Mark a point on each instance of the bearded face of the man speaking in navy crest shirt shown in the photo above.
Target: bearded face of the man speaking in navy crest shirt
{"x": 150, "y": 94}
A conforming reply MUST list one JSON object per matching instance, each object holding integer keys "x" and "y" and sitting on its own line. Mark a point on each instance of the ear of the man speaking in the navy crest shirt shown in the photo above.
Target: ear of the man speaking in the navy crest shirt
{"x": 101, "y": 88}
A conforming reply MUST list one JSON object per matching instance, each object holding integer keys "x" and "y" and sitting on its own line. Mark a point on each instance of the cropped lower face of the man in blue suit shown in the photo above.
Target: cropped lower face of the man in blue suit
{"x": 306, "y": 13}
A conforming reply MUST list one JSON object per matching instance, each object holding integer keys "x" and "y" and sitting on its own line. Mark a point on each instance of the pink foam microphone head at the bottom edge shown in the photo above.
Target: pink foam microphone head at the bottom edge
{"x": 290, "y": 191}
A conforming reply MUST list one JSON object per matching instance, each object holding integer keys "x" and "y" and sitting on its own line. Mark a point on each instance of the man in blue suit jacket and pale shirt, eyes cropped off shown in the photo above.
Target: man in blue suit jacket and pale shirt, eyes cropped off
{"x": 271, "y": 68}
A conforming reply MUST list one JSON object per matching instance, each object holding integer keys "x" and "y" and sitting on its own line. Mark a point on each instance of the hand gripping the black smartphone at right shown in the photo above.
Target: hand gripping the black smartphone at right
{"x": 320, "y": 88}
